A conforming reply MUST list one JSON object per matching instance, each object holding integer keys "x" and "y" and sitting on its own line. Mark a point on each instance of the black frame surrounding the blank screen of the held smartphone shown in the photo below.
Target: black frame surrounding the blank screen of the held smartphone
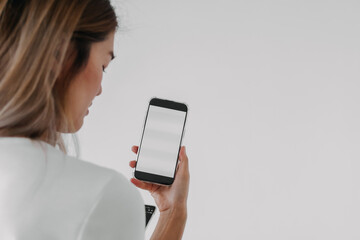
{"x": 150, "y": 177}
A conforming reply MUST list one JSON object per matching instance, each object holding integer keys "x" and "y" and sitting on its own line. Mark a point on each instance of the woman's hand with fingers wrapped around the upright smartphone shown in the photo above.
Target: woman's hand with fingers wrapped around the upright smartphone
{"x": 173, "y": 197}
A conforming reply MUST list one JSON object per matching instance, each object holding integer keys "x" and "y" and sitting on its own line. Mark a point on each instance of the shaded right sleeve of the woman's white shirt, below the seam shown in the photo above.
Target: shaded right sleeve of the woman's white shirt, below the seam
{"x": 119, "y": 213}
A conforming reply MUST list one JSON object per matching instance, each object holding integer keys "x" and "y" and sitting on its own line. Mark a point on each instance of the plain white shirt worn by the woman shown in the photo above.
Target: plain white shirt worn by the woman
{"x": 45, "y": 194}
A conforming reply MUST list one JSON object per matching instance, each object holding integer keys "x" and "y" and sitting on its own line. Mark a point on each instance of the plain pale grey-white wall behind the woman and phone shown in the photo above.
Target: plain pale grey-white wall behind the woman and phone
{"x": 273, "y": 133}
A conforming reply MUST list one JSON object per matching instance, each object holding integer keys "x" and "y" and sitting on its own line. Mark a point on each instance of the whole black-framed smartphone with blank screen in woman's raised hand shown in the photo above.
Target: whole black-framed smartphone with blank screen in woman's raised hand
{"x": 160, "y": 144}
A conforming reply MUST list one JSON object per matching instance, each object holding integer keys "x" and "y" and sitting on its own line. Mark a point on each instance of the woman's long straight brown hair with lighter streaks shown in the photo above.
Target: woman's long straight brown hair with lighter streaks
{"x": 43, "y": 45}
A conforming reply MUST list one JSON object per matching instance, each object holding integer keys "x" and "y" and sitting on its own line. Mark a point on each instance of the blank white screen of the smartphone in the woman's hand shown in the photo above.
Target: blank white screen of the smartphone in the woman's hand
{"x": 161, "y": 140}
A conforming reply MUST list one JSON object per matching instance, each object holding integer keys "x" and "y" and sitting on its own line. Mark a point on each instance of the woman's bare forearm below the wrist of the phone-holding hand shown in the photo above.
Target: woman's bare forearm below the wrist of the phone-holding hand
{"x": 171, "y": 224}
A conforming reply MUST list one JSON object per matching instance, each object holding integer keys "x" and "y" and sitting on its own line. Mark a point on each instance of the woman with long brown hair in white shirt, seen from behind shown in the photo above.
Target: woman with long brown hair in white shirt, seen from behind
{"x": 52, "y": 54}
